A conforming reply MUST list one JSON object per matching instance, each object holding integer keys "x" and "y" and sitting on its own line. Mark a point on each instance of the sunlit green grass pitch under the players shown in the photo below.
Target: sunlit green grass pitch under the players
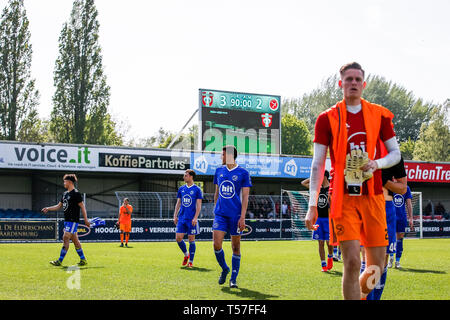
{"x": 287, "y": 270}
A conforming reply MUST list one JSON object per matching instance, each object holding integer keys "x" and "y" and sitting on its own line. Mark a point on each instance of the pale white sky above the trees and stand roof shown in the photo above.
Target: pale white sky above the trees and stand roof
{"x": 157, "y": 54}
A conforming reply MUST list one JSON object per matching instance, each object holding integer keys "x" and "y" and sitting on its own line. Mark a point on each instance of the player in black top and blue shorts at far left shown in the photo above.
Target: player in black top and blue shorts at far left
{"x": 72, "y": 203}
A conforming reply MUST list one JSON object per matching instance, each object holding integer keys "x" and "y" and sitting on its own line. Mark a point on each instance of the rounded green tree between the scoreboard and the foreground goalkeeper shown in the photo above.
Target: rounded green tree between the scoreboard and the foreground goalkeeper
{"x": 295, "y": 139}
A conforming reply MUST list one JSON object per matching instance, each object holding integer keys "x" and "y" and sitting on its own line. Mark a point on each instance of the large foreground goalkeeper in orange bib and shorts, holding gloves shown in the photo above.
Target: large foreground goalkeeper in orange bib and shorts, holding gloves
{"x": 352, "y": 129}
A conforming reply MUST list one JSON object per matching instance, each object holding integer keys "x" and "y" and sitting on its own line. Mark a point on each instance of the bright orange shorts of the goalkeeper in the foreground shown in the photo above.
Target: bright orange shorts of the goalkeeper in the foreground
{"x": 363, "y": 218}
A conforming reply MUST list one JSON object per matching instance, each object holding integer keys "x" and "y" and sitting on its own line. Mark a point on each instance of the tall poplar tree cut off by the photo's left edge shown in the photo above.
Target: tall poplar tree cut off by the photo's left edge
{"x": 18, "y": 96}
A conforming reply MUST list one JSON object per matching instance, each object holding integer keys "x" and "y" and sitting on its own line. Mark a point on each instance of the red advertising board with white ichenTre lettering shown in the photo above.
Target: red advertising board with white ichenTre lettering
{"x": 427, "y": 172}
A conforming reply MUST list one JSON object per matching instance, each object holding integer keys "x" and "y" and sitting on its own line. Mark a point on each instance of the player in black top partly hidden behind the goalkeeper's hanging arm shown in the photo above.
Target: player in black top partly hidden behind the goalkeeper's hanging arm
{"x": 322, "y": 233}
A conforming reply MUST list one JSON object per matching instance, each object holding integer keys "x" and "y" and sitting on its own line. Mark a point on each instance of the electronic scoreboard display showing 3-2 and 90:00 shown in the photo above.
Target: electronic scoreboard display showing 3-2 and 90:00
{"x": 250, "y": 122}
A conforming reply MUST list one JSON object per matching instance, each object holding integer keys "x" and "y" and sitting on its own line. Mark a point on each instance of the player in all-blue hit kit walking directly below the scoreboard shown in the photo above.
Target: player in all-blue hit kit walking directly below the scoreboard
{"x": 231, "y": 200}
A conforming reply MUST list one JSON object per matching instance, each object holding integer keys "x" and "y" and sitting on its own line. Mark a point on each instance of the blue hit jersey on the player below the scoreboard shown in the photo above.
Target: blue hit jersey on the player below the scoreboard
{"x": 230, "y": 183}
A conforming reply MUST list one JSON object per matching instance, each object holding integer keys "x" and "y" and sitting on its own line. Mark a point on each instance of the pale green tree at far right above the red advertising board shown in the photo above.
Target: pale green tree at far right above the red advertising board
{"x": 433, "y": 143}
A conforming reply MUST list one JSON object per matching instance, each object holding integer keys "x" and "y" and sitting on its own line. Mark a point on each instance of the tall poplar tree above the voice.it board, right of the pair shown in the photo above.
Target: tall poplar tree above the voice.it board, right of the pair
{"x": 81, "y": 99}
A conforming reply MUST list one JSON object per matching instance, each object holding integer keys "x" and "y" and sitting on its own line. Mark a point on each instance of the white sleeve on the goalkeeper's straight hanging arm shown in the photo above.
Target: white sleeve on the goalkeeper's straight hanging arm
{"x": 317, "y": 171}
